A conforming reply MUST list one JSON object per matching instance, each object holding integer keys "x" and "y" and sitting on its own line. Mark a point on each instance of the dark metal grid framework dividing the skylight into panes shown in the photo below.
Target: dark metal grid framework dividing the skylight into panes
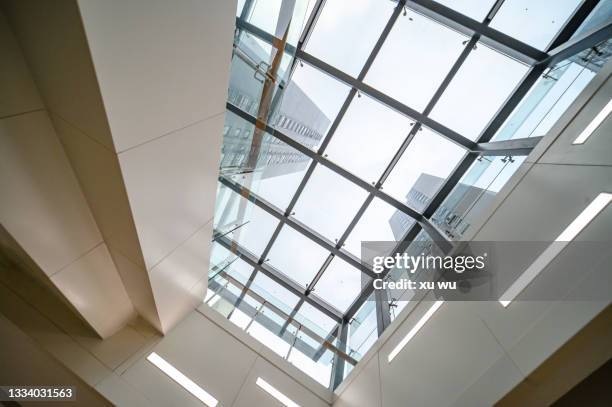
{"x": 559, "y": 49}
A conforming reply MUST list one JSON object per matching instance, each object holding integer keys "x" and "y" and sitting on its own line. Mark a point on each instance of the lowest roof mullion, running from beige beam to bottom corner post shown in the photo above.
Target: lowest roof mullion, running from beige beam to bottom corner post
{"x": 281, "y": 279}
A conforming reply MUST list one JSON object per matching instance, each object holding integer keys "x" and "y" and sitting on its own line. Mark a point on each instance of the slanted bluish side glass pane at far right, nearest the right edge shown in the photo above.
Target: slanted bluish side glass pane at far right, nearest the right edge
{"x": 550, "y": 97}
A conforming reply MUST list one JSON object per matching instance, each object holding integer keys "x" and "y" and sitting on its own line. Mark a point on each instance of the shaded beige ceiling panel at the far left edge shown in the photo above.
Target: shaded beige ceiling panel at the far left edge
{"x": 42, "y": 206}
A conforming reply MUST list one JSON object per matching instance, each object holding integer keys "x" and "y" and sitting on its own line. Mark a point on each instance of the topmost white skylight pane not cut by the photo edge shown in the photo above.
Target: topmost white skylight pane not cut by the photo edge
{"x": 415, "y": 59}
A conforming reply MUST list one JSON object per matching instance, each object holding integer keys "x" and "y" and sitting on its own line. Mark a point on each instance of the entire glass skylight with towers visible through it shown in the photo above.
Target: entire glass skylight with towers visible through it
{"x": 369, "y": 129}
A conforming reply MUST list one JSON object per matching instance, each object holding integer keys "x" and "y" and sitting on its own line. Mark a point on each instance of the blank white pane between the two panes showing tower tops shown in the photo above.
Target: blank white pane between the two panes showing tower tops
{"x": 367, "y": 138}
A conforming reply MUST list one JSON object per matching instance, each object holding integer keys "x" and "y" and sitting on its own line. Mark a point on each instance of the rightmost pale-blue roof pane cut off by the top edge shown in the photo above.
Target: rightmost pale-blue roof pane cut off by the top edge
{"x": 533, "y": 22}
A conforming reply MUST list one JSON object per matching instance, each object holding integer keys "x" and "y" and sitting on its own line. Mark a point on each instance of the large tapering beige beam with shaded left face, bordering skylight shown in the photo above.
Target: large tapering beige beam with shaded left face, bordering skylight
{"x": 136, "y": 92}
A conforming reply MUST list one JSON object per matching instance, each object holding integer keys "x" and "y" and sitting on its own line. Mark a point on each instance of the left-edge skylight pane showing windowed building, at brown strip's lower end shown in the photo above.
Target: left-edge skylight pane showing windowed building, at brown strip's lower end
{"x": 272, "y": 171}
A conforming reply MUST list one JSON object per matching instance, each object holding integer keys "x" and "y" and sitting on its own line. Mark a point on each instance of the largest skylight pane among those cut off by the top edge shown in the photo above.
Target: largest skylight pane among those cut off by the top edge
{"x": 346, "y": 33}
